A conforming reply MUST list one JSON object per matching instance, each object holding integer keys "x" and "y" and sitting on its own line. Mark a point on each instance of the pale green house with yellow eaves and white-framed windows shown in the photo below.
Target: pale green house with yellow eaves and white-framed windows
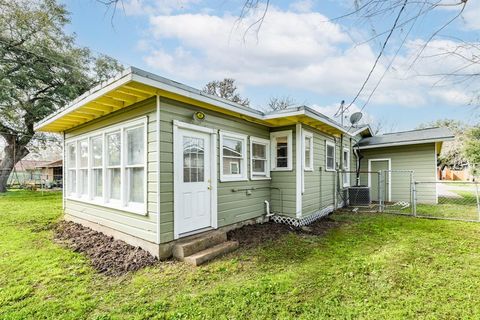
{"x": 151, "y": 161}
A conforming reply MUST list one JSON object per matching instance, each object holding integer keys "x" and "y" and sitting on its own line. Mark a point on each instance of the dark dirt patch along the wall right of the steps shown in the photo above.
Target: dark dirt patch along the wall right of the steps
{"x": 255, "y": 234}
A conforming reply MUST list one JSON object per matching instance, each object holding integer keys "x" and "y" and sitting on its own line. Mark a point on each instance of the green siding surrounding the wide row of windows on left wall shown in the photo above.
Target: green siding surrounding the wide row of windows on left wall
{"x": 144, "y": 227}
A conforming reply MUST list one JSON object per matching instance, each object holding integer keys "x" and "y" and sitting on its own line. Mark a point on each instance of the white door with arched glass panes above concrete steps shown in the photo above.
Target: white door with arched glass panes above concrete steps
{"x": 193, "y": 175}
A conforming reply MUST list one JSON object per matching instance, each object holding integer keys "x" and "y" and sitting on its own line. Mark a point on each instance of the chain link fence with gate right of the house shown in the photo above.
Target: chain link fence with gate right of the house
{"x": 397, "y": 192}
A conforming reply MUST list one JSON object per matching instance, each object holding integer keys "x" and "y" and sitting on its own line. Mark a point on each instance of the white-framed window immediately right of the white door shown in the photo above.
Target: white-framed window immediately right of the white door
{"x": 233, "y": 156}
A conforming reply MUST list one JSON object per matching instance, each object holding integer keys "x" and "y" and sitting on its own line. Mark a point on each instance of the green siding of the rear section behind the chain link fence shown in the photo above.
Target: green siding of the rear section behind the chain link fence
{"x": 420, "y": 158}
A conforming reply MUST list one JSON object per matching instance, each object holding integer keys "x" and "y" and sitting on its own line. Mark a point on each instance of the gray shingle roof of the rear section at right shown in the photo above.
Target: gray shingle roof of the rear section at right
{"x": 407, "y": 137}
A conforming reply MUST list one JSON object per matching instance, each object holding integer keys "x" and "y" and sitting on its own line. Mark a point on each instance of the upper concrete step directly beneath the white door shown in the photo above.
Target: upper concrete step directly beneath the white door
{"x": 185, "y": 249}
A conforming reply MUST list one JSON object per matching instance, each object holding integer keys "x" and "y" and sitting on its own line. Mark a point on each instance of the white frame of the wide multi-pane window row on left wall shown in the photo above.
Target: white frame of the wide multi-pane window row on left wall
{"x": 122, "y": 204}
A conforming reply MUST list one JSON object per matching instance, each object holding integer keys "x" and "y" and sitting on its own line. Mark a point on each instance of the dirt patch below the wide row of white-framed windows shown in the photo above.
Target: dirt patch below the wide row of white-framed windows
{"x": 109, "y": 256}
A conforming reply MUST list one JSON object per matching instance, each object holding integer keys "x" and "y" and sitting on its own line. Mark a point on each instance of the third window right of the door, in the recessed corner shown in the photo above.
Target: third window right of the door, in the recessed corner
{"x": 281, "y": 150}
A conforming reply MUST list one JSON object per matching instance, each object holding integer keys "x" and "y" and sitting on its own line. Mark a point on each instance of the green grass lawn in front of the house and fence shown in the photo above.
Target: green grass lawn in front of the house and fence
{"x": 375, "y": 266}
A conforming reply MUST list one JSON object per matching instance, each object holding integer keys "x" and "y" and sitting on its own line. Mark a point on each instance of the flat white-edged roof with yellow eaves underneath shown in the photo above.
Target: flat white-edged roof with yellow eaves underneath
{"x": 135, "y": 85}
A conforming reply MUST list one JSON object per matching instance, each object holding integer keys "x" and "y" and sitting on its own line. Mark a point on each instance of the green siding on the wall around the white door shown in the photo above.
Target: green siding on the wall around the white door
{"x": 232, "y": 206}
